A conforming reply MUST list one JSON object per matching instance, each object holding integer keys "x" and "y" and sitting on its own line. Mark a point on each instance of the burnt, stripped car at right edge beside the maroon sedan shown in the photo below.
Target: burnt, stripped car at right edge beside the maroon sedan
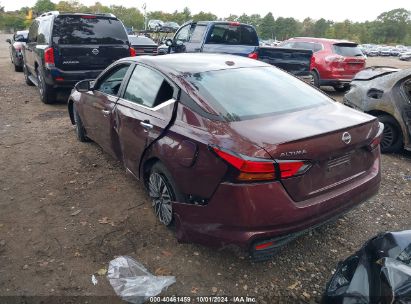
{"x": 385, "y": 93}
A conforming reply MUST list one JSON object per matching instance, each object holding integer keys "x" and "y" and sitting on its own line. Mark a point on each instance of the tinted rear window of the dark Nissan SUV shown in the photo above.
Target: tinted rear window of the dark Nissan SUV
{"x": 88, "y": 30}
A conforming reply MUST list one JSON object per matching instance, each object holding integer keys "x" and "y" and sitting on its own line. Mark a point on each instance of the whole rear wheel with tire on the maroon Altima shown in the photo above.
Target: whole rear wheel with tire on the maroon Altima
{"x": 163, "y": 191}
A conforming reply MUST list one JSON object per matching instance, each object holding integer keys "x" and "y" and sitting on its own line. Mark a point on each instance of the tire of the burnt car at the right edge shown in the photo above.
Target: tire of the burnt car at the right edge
{"x": 392, "y": 140}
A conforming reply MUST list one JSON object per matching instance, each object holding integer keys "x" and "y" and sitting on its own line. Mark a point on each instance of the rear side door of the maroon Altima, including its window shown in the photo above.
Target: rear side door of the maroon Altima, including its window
{"x": 143, "y": 113}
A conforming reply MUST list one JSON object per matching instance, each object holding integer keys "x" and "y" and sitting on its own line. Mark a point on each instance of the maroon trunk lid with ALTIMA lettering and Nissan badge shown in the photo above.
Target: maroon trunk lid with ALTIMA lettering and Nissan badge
{"x": 316, "y": 135}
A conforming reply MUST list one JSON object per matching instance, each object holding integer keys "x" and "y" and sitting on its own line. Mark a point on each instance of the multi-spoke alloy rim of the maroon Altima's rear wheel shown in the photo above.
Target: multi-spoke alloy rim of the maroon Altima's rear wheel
{"x": 161, "y": 195}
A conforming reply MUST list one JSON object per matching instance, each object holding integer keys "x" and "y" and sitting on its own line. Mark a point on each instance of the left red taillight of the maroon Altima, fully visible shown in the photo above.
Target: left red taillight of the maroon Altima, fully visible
{"x": 259, "y": 169}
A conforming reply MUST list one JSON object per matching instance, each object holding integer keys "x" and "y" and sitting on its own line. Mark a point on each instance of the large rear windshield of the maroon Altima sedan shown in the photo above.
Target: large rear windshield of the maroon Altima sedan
{"x": 246, "y": 93}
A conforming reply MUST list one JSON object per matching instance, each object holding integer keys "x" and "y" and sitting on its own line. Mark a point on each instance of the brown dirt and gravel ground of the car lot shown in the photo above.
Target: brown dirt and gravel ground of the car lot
{"x": 67, "y": 209}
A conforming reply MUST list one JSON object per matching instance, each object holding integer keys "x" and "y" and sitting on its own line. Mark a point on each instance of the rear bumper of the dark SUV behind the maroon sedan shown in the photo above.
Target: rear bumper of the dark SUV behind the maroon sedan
{"x": 67, "y": 79}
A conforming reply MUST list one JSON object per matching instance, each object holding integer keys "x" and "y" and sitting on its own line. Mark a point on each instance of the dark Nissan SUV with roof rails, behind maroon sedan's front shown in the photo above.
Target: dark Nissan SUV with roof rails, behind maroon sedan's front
{"x": 65, "y": 48}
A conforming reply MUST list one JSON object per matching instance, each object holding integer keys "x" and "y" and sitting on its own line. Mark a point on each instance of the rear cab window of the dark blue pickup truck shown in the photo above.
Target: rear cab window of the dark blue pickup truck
{"x": 232, "y": 34}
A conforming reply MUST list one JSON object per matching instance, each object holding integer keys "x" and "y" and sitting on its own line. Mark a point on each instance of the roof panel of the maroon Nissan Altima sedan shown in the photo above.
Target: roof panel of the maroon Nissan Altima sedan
{"x": 188, "y": 63}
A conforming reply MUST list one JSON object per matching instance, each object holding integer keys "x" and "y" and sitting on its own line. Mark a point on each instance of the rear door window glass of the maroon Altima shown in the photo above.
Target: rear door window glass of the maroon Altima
{"x": 147, "y": 88}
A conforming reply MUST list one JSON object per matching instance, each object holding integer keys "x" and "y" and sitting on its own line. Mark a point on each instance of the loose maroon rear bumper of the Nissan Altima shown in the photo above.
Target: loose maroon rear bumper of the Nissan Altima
{"x": 239, "y": 216}
